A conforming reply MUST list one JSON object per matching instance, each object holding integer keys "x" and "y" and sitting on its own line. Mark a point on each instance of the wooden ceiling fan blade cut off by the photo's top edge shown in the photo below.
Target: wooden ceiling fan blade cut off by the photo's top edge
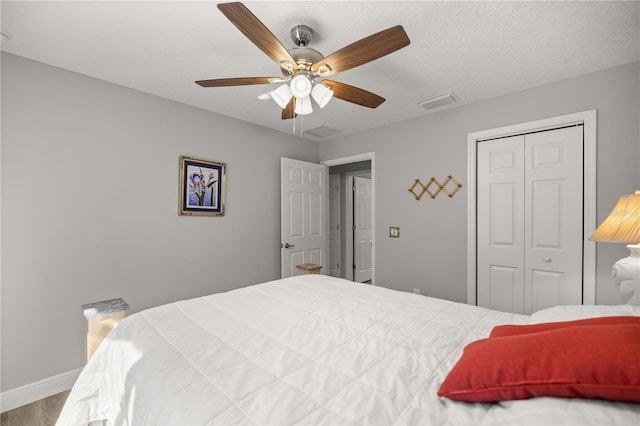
{"x": 258, "y": 33}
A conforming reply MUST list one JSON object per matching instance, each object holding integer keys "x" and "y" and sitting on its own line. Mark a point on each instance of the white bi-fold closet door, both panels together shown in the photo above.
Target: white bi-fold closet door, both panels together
{"x": 529, "y": 220}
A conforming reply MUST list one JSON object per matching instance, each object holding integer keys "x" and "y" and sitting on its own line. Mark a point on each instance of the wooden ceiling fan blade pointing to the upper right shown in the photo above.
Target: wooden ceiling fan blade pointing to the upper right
{"x": 362, "y": 51}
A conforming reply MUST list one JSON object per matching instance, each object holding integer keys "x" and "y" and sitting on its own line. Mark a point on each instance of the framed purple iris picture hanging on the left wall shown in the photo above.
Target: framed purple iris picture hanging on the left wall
{"x": 202, "y": 187}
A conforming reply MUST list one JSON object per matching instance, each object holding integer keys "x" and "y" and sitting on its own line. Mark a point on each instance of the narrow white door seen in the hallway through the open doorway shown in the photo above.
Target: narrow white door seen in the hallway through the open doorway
{"x": 362, "y": 232}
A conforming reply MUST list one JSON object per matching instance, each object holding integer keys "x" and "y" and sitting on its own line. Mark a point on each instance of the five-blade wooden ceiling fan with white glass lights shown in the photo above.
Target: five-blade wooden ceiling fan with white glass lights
{"x": 302, "y": 66}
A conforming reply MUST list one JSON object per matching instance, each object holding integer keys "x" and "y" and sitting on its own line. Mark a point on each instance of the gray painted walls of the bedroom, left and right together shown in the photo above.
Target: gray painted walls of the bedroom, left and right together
{"x": 90, "y": 189}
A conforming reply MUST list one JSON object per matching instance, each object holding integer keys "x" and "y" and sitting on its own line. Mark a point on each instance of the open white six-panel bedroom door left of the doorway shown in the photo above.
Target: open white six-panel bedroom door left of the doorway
{"x": 302, "y": 215}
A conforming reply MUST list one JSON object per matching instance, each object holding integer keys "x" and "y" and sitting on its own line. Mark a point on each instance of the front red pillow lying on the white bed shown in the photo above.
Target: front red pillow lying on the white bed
{"x": 595, "y": 361}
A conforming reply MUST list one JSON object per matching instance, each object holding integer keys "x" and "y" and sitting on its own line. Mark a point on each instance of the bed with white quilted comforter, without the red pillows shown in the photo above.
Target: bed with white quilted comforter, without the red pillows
{"x": 313, "y": 349}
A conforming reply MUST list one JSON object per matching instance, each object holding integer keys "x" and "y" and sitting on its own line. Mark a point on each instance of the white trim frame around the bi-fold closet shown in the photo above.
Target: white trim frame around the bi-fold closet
{"x": 588, "y": 119}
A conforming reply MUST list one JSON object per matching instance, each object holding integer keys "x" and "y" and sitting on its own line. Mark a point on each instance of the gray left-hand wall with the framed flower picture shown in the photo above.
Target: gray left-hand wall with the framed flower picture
{"x": 90, "y": 208}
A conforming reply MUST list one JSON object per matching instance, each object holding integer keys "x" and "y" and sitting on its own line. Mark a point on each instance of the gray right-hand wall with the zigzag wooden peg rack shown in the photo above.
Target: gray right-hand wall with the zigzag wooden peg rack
{"x": 431, "y": 251}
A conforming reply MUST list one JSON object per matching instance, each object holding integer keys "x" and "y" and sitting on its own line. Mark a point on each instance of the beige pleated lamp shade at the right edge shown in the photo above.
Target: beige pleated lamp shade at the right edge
{"x": 623, "y": 224}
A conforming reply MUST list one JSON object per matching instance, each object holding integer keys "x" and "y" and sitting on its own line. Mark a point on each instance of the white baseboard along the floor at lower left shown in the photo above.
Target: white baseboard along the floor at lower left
{"x": 14, "y": 398}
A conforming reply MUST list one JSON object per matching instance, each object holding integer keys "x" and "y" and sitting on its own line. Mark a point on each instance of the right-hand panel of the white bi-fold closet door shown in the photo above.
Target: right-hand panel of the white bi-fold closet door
{"x": 553, "y": 226}
